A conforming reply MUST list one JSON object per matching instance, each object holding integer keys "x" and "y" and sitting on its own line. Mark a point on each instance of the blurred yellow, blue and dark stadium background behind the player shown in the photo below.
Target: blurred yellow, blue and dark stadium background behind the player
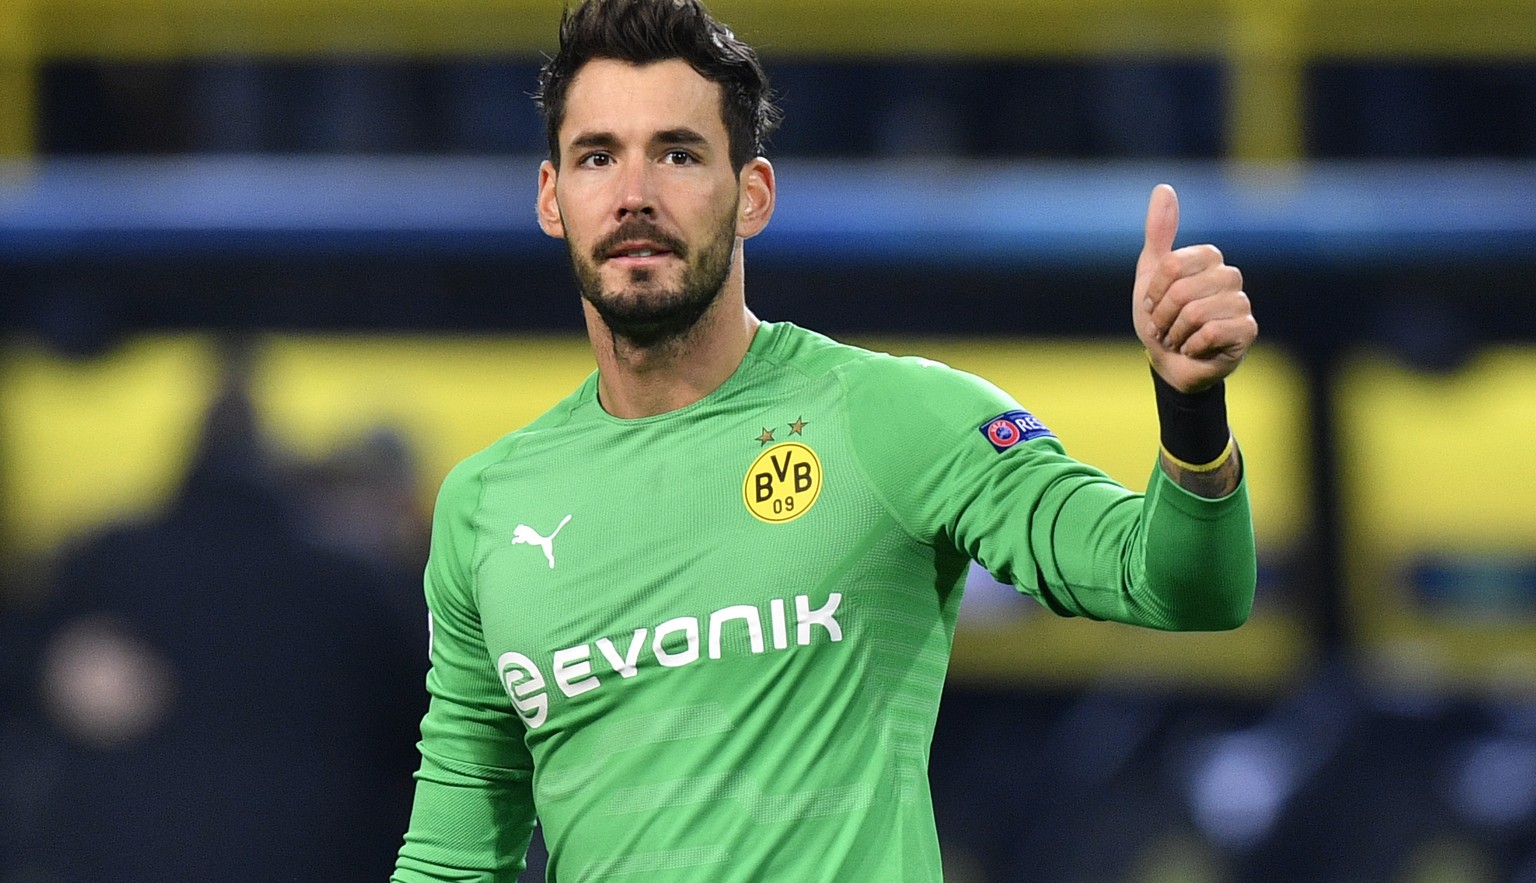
{"x": 310, "y": 223}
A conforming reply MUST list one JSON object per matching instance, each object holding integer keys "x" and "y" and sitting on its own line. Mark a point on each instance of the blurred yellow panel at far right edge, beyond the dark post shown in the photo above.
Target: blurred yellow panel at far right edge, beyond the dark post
{"x": 1440, "y": 466}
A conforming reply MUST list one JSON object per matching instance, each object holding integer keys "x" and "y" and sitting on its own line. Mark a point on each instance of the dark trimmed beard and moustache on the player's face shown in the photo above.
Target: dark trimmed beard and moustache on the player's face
{"x": 646, "y": 314}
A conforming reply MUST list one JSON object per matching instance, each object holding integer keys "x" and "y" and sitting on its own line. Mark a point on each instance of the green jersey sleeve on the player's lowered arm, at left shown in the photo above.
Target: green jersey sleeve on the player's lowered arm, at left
{"x": 474, "y": 812}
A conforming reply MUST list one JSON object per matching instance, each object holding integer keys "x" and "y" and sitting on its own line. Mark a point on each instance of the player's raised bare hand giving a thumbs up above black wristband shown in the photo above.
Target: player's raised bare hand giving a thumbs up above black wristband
{"x": 1190, "y": 306}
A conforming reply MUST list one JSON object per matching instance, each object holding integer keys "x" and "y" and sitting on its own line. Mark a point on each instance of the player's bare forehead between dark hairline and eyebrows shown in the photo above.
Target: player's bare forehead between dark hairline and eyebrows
{"x": 637, "y": 101}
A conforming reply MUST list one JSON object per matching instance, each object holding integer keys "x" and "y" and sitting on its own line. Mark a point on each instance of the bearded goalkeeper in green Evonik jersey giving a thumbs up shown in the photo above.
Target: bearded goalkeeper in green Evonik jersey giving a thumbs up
{"x": 697, "y": 618}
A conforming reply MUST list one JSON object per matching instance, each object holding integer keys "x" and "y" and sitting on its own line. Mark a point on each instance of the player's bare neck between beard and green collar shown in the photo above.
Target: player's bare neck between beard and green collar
{"x": 646, "y": 382}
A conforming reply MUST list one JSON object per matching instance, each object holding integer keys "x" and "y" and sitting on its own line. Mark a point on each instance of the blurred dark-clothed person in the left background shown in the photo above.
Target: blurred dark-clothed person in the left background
{"x": 228, "y": 699}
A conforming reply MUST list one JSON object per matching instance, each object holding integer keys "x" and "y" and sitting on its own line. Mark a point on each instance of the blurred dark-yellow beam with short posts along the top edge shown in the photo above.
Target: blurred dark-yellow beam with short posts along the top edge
{"x": 1266, "y": 45}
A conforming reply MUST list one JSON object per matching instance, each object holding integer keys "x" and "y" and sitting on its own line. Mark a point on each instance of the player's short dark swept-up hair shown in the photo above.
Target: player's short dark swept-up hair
{"x": 649, "y": 31}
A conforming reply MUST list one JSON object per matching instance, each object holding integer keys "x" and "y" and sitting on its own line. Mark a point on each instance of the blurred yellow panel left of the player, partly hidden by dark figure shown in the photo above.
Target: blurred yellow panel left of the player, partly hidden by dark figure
{"x": 84, "y": 445}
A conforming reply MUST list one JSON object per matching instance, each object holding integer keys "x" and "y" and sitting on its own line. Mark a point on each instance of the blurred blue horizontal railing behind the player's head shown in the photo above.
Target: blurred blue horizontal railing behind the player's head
{"x": 1016, "y": 216}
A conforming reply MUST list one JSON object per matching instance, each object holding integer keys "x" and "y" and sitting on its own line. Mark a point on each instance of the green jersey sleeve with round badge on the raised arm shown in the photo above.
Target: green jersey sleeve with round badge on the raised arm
{"x": 1039, "y": 520}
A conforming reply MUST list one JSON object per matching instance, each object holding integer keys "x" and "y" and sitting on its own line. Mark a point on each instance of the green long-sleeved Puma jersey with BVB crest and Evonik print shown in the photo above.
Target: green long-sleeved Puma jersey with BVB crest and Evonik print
{"x": 709, "y": 646}
